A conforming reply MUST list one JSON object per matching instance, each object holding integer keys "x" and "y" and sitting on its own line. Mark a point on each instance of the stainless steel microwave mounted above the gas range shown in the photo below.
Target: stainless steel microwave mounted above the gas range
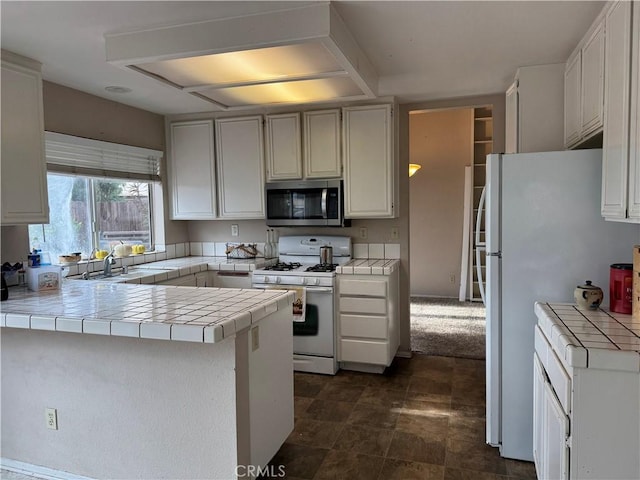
{"x": 305, "y": 203}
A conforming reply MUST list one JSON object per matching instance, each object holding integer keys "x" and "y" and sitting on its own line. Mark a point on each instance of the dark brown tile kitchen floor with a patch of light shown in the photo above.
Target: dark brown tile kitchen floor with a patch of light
{"x": 423, "y": 419}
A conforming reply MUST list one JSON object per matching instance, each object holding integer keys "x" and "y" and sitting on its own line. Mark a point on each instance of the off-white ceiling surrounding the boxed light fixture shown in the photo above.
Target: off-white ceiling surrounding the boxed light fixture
{"x": 421, "y": 50}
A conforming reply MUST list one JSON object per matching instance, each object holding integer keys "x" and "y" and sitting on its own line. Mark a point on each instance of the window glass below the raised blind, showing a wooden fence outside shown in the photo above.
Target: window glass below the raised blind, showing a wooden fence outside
{"x": 88, "y": 213}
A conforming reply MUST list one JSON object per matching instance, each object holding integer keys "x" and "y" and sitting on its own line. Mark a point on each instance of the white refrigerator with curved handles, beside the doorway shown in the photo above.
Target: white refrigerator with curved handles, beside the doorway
{"x": 544, "y": 236}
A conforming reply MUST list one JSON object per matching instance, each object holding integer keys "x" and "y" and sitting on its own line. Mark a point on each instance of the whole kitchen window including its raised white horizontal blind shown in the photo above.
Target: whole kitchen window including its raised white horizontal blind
{"x": 99, "y": 195}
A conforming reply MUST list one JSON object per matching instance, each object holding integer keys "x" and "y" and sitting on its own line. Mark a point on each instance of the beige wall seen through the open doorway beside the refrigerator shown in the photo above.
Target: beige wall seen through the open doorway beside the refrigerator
{"x": 442, "y": 142}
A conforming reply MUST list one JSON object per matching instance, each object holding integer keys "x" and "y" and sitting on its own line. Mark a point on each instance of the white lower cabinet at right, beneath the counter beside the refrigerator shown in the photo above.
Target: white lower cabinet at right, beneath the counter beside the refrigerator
{"x": 586, "y": 419}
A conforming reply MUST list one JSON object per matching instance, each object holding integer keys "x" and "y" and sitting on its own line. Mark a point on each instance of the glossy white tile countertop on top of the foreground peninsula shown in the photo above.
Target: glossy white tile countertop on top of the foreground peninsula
{"x": 204, "y": 315}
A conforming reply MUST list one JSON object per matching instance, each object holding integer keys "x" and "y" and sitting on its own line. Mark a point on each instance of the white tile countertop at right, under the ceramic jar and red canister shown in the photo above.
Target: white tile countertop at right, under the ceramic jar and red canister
{"x": 591, "y": 338}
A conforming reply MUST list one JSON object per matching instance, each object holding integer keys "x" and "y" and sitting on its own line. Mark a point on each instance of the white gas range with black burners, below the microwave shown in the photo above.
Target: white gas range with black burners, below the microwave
{"x": 299, "y": 267}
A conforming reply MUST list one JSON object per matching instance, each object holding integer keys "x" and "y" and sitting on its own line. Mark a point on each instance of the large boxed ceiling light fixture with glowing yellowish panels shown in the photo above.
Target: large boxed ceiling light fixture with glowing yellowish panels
{"x": 300, "y": 55}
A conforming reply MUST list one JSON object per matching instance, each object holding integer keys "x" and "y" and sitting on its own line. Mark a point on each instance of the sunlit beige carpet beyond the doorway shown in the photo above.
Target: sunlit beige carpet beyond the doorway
{"x": 447, "y": 327}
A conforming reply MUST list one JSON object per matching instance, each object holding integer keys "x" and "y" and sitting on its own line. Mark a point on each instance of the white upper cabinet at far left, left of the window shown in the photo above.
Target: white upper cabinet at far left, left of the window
{"x": 24, "y": 168}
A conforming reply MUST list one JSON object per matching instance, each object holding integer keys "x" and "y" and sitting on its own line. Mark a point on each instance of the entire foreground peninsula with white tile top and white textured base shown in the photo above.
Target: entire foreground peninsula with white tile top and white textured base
{"x": 148, "y": 381}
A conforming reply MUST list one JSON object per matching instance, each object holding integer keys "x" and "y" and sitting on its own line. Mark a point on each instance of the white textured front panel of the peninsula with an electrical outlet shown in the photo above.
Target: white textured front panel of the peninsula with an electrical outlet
{"x": 127, "y": 408}
